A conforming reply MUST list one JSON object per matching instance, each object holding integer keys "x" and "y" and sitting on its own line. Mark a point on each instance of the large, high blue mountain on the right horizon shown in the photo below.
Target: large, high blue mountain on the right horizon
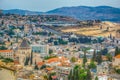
{"x": 87, "y": 13}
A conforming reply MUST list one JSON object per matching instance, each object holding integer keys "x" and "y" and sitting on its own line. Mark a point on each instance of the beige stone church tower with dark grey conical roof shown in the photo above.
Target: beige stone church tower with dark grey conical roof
{"x": 24, "y": 51}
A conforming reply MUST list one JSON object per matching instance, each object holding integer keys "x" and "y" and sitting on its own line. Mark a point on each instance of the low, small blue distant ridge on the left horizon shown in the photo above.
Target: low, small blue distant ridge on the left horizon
{"x": 22, "y": 12}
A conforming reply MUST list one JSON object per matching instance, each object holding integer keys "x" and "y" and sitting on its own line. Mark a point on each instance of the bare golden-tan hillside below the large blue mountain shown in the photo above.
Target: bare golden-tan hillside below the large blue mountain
{"x": 104, "y": 29}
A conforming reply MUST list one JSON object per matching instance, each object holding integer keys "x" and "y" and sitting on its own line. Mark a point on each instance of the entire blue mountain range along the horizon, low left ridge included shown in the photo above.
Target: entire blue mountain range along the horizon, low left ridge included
{"x": 104, "y": 13}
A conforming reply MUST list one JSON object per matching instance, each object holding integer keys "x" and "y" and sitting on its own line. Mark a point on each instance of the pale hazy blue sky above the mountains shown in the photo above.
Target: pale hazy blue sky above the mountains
{"x": 45, "y": 5}
